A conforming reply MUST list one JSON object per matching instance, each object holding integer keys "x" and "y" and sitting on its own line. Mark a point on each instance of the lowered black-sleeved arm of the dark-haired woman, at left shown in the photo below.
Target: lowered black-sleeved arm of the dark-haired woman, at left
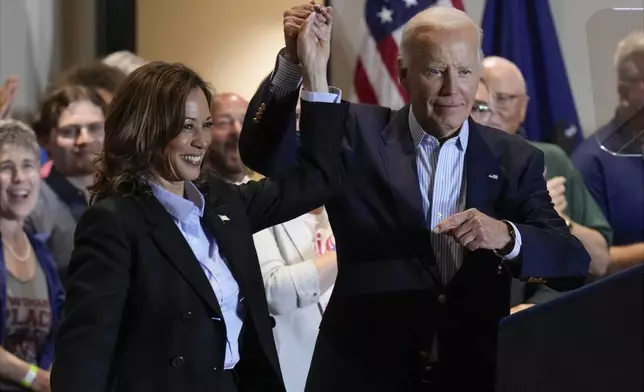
{"x": 96, "y": 292}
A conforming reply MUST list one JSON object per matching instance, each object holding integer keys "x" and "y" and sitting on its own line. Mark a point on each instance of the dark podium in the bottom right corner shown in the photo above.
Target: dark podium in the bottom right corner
{"x": 589, "y": 340}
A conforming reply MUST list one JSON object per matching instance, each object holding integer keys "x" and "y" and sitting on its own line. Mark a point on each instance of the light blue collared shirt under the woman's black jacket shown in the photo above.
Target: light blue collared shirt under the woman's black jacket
{"x": 186, "y": 213}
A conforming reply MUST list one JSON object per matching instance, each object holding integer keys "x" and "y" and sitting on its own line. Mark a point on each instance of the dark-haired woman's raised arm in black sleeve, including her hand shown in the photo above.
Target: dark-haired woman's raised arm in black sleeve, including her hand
{"x": 312, "y": 183}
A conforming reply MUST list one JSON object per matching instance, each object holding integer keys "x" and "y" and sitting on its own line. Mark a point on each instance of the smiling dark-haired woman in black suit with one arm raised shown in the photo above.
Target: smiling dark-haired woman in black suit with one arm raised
{"x": 165, "y": 291}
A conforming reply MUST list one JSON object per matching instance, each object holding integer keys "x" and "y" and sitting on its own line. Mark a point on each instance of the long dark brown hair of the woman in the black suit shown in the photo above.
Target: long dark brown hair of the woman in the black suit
{"x": 146, "y": 114}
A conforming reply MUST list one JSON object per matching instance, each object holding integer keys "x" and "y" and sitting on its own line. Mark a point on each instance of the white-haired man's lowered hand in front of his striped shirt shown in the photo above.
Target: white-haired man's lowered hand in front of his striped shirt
{"x": 475, "y": 230}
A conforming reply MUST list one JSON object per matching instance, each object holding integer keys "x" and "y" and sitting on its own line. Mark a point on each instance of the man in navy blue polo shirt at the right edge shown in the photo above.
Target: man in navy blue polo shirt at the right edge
{"x": 616, "y": 178}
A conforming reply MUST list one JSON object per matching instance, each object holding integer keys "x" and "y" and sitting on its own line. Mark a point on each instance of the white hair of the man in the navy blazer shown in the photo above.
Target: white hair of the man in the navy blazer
{"x": 438, "y": 18}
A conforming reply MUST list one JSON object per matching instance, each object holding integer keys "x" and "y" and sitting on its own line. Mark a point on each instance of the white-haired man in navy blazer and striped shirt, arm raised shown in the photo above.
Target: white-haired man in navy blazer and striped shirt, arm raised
{"x": 436, "y": 214}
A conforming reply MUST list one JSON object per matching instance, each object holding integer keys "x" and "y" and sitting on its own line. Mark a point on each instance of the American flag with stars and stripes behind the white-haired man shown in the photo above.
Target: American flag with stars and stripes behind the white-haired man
{"x": 376, "y": 75}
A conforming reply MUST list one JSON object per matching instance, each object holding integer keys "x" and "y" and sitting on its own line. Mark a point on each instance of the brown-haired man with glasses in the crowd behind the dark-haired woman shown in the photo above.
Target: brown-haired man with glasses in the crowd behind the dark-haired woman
{"x": 71, "y": 129}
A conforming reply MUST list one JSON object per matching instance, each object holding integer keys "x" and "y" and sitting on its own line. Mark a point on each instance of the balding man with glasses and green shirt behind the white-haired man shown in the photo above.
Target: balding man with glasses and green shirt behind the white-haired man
{"x": 507, "y": 100}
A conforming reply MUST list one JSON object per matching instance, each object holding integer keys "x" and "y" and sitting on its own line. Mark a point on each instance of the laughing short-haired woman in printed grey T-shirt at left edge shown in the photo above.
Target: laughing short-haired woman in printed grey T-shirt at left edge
{"x": 31, "y": 294}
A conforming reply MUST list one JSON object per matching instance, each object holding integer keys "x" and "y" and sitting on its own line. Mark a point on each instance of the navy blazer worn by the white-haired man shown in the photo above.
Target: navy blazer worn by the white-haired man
{"x": 388, "y": 300}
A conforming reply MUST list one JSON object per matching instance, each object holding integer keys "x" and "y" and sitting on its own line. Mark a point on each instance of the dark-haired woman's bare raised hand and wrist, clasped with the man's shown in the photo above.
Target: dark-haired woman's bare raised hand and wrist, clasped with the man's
{"x": 314, "y": 48}
